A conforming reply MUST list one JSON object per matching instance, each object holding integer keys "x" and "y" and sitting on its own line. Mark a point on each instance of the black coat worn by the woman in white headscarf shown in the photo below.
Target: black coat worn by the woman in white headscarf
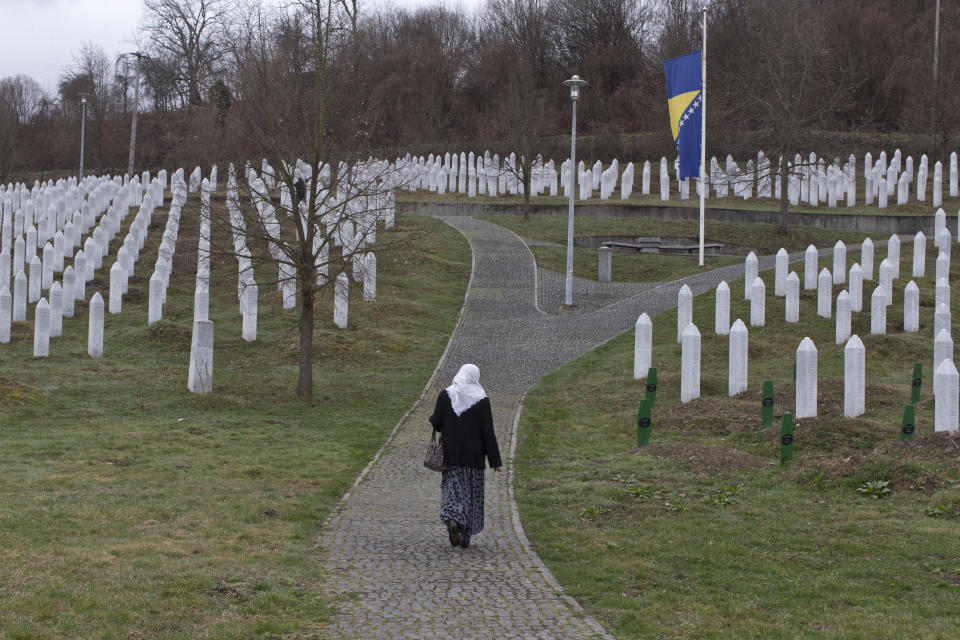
{"x": 469, "y": 437}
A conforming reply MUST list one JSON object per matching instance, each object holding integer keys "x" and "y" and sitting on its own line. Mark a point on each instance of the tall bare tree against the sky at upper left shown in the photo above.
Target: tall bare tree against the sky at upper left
{"x": 189, "y": 34}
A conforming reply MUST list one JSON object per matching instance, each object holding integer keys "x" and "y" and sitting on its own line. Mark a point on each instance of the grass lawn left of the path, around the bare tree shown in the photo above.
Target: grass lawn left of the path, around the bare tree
{"x": 130, "y": 508}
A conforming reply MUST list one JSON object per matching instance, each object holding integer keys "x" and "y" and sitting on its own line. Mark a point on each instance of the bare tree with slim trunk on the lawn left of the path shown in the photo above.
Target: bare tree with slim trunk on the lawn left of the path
{"x": 329, "y": 203}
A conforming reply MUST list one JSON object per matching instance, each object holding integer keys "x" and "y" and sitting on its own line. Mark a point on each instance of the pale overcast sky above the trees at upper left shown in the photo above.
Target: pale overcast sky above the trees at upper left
{"x": 40, "y": 38}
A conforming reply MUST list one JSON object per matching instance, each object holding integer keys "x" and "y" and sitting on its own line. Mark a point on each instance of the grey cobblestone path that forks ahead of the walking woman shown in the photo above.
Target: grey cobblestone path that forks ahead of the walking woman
{"x": 391, "y": 571}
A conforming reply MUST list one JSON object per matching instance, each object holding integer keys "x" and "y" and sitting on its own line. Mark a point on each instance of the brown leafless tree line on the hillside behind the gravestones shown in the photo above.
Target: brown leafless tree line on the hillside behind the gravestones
{"x": 831, "y": 76}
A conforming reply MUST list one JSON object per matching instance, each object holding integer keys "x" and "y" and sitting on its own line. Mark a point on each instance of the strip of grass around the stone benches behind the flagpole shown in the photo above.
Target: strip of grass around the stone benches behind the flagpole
{"x": 637, "y": 267}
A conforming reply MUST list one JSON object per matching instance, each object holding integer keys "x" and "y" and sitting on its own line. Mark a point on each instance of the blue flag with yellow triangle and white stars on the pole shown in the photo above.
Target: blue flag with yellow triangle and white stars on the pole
{"x": 686, "y": 114}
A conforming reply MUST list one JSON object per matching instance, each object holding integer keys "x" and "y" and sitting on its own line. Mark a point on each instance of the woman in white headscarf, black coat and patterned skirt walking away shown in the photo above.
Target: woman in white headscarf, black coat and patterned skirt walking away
{"x": 465, "y": 422}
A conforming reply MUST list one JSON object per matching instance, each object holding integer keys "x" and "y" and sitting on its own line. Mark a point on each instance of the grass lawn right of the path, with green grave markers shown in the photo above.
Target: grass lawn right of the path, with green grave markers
{"x": 702, "y": 533}
